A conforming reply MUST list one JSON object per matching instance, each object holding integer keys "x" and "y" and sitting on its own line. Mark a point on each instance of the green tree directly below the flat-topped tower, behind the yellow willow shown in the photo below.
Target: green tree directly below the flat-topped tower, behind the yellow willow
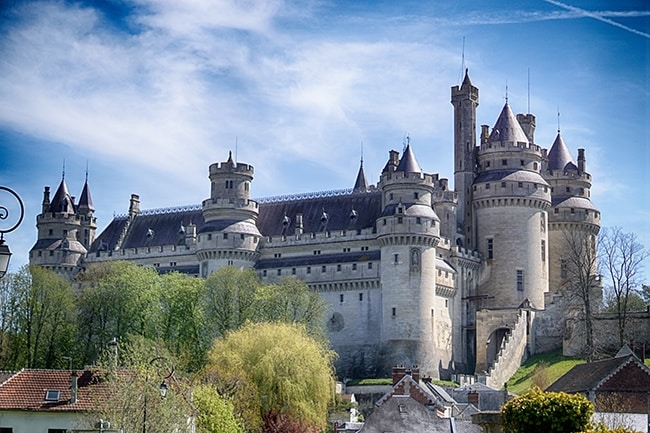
{"x": 230, "y": 299}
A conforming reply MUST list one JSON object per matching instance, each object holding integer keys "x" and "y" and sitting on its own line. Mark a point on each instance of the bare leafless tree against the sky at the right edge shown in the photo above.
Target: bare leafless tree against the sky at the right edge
{"x": 622, "y": 257}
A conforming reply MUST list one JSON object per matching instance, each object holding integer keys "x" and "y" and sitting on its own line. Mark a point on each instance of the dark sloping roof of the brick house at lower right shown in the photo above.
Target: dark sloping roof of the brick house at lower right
{"x": 590, "y": 376}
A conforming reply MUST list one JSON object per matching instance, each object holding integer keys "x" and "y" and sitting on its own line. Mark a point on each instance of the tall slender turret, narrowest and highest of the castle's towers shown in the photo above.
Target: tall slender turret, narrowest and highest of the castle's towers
{"x": 465, "y": 101}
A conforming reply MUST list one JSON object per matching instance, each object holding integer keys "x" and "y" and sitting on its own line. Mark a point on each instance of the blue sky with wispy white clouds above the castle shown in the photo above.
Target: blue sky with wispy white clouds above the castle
{"x": 147, "y": 94}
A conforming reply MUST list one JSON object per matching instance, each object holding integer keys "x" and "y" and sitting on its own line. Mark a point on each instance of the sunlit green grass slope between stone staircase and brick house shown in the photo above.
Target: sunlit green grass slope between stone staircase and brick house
{"x": 541, "y": 369}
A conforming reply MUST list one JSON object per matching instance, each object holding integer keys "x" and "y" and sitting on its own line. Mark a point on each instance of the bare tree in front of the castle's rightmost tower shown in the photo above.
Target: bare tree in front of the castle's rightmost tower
{"x": 583, "y": 280}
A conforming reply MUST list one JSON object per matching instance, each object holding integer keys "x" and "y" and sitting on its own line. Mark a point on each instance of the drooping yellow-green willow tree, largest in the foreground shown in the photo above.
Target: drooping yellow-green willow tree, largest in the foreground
{"x": 291, "y": 372}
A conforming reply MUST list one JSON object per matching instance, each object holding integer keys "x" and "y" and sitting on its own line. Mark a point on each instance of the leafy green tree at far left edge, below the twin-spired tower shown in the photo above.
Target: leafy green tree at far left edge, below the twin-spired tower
{"x": 37, "y": 319}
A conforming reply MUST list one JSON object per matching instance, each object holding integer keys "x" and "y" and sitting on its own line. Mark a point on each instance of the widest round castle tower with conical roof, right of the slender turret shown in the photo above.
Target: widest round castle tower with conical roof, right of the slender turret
{"x": 510, "y": 202}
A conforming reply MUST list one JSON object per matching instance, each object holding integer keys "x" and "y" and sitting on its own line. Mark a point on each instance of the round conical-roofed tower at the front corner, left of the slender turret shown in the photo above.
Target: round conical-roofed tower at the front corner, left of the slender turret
{"x": 407, "y": 233}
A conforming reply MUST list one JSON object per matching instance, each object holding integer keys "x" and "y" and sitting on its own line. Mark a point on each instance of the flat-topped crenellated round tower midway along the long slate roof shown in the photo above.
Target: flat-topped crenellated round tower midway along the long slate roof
{"x": 230, "y": 236}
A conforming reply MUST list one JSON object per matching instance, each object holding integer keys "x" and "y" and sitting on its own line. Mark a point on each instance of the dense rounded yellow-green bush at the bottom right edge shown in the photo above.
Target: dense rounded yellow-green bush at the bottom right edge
{"x": 551, "y": 412}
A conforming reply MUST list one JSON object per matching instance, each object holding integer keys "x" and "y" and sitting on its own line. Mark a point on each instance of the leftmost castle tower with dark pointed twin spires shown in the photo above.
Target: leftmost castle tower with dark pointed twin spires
{"x": 64, "y": 231}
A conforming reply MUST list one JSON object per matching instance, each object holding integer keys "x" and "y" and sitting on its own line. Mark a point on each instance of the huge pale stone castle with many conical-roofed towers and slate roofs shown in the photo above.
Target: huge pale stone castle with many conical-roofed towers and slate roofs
{"x": 455, "y": 281}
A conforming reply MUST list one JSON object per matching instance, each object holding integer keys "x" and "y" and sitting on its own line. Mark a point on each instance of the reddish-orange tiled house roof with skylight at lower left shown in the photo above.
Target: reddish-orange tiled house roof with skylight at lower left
{"x": 27, "y": 390}
